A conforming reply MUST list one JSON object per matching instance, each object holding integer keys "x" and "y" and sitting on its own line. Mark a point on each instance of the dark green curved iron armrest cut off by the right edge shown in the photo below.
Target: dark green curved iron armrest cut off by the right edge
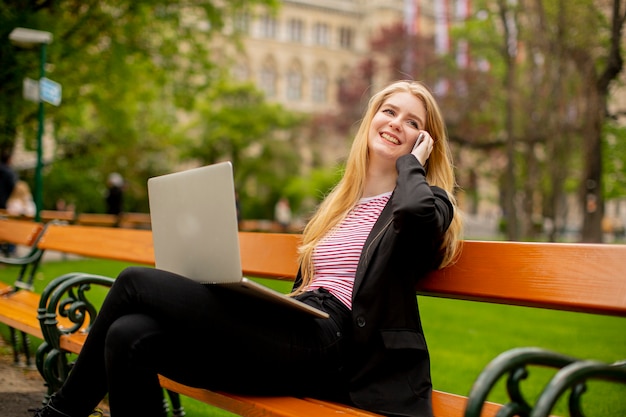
{"x": 574, "y": 376}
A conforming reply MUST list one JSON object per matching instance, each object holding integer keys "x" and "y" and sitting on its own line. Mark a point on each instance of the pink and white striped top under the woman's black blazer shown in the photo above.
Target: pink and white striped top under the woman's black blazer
{"x": 336, "y": 256}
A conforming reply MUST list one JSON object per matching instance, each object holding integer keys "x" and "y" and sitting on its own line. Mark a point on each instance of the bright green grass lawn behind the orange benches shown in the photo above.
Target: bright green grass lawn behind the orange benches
{"x": 462, "y": 337}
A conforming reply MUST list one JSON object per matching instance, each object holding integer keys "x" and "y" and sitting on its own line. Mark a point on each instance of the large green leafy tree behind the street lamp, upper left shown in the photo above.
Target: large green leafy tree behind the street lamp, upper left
{"x": 128, "y": 68}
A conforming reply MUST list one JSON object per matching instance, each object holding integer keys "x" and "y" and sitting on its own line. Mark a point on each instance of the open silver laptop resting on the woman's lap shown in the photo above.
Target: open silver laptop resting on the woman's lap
{"x": 195, "y": 232}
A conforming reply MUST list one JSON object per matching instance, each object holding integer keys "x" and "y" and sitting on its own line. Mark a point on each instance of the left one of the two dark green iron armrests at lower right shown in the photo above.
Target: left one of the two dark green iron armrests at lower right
{"x": 513, "y": 363}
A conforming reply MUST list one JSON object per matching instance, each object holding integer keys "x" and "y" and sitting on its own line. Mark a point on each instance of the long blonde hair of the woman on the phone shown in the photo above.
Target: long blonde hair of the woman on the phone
{"x": 350, "y": 188}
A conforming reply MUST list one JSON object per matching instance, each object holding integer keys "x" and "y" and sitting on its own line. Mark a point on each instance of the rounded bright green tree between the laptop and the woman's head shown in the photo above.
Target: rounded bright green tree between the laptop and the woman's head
{"x": 234, "y": 122}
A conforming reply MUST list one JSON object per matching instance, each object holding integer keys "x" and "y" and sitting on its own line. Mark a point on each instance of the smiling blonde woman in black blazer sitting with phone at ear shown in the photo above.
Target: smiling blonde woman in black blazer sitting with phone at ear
{"x": 391, "y": 219}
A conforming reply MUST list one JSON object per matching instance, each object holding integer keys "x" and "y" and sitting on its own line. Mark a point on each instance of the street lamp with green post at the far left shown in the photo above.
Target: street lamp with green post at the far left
{"x": 28, "y": 38}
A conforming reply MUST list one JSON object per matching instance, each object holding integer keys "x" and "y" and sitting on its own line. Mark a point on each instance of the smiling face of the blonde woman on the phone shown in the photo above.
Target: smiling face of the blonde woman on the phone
{"x": 395, "y": 127}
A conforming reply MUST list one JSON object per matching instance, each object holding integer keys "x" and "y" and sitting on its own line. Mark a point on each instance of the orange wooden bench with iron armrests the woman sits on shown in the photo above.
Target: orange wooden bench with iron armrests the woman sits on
{"x": 572, "y": 277}
